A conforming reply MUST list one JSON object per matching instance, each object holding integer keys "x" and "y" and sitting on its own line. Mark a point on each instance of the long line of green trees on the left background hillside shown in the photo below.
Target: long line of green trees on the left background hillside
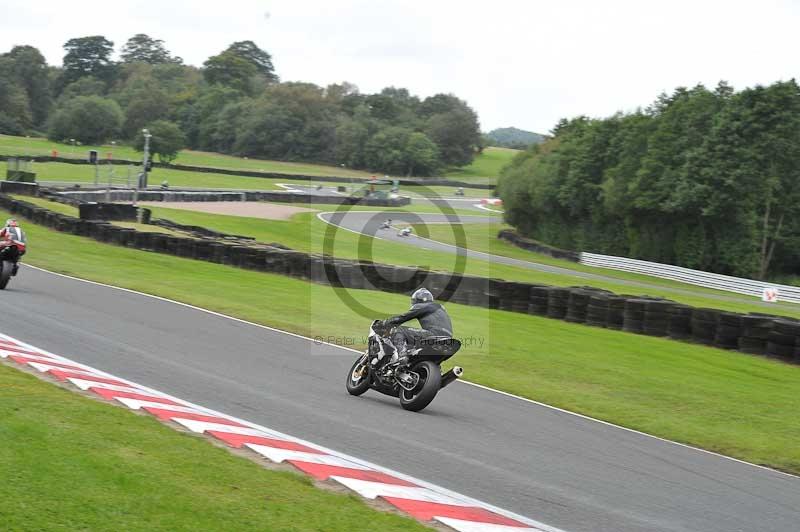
{"x": 234, "y": 104}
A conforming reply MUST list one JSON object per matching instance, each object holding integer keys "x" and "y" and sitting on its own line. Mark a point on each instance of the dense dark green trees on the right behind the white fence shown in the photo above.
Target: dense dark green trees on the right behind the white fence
{"x": 706, "y": 179}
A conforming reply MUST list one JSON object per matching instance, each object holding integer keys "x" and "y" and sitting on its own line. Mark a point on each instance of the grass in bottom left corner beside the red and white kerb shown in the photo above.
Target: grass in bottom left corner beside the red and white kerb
{"x": 73, "y": 463}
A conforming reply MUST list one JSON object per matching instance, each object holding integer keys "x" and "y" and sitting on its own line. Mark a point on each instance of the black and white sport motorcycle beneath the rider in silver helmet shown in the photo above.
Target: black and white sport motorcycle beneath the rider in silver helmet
{"x": 415, "y": 378}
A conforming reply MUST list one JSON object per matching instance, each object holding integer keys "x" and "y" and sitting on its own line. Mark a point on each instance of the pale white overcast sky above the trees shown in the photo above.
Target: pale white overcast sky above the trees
{"x": 517, "y": 63}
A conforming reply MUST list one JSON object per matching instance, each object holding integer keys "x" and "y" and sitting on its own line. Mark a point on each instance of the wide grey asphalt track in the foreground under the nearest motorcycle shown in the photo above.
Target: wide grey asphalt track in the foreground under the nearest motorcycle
{"x": 561, "y": 469}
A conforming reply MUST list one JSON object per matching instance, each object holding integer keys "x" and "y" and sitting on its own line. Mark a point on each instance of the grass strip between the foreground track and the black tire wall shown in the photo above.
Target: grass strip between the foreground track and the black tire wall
{"x": 737, "y": 404}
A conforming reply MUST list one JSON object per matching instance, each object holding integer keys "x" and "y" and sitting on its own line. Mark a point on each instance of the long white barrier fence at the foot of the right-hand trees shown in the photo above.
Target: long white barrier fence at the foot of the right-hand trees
{"x": 676, "y": 273}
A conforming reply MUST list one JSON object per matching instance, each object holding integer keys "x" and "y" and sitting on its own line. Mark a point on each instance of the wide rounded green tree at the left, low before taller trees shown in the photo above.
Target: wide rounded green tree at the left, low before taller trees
{"x": 88, "y": 119}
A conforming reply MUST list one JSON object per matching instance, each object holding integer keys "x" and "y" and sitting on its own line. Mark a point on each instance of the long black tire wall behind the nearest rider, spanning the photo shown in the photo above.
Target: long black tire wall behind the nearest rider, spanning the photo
{"x": 757, "y": 334}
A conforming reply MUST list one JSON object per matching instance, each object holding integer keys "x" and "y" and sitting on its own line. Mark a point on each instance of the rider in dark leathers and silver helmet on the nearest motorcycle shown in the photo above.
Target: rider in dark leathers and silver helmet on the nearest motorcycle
{"x": 432, "y": 317}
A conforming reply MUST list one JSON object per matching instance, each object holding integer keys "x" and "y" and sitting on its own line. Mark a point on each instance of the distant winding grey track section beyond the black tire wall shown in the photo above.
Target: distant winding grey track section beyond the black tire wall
{"x": 367, "y": 223}
